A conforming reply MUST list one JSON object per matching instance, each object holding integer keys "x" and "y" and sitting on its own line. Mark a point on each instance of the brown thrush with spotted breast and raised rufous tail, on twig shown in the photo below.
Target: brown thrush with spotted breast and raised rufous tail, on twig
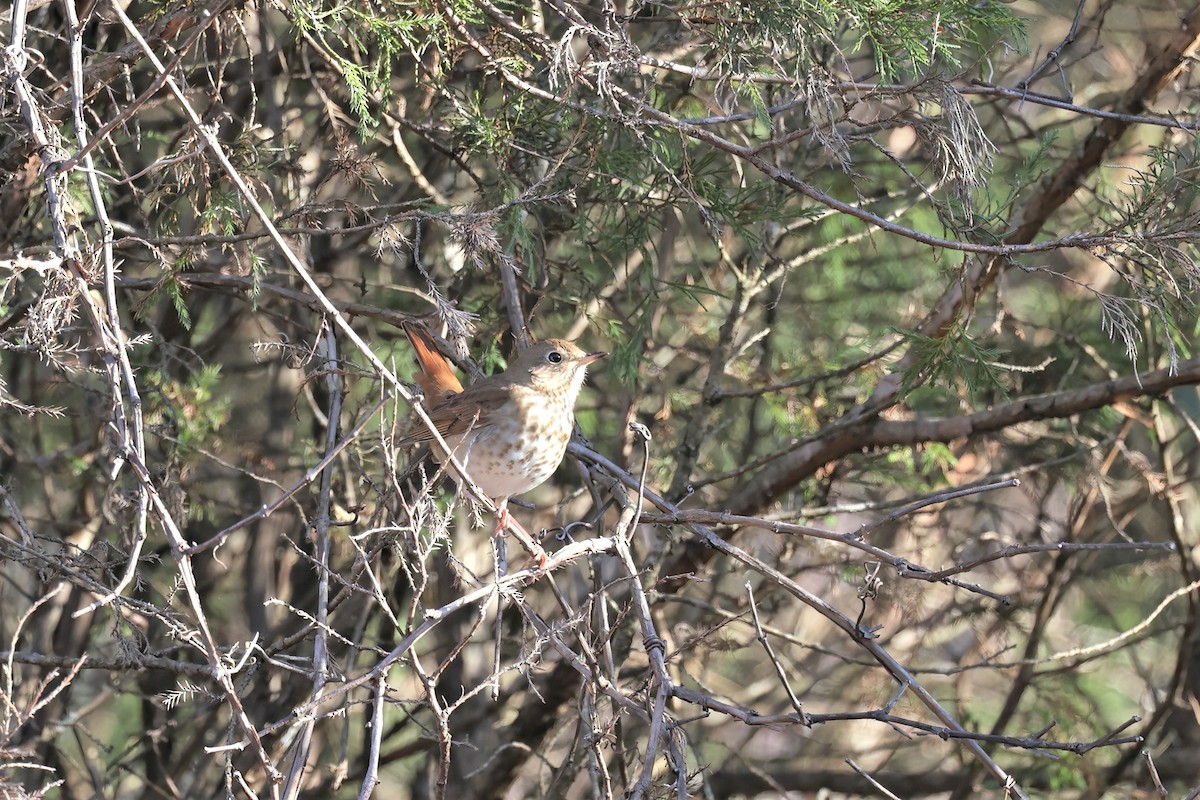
{"x": 508, "y": 431}
